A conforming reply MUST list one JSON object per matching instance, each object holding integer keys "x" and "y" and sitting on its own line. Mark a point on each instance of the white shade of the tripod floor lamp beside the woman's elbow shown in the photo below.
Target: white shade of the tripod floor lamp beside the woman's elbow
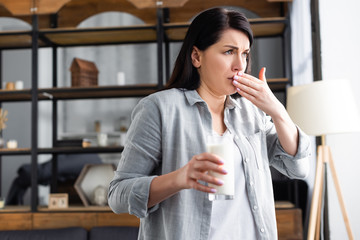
{"x": 324, "y": 107}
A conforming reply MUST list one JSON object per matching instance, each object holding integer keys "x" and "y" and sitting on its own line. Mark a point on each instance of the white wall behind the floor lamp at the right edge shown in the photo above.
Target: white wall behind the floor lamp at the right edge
{"x": 340, "y": 38}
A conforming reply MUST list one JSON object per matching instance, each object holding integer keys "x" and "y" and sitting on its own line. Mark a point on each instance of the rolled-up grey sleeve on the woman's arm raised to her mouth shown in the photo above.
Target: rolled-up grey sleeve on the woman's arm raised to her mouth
{"x": 292, "y": 166}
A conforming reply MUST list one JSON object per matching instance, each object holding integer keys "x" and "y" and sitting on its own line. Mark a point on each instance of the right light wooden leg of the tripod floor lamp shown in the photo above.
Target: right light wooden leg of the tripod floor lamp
{"x": 338, "y": 191}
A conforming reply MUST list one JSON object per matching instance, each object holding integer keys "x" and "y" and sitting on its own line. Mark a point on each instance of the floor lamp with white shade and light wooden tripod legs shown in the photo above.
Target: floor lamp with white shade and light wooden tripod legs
{"x": 322, "y": 108}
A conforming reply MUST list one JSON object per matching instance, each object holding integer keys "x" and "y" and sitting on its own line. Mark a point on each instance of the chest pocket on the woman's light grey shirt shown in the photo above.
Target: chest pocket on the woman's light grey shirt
{"x": 258, "y": 147}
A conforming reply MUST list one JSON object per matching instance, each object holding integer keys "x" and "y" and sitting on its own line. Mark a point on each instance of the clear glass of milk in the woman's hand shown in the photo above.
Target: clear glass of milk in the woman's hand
{"x": 222, "y": 146}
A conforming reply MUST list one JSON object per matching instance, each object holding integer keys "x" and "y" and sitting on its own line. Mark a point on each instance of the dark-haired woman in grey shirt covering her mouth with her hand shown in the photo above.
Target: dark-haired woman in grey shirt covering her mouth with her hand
{"x": 162, "y": 175}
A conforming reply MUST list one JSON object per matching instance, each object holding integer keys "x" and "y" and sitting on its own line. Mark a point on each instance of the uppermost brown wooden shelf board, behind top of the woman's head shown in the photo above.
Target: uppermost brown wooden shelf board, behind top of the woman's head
{"x": 127, "y": 34}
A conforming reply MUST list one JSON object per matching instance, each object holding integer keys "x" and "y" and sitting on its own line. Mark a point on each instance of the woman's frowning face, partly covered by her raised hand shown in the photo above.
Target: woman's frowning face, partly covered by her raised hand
{"x": 218, "y": 64}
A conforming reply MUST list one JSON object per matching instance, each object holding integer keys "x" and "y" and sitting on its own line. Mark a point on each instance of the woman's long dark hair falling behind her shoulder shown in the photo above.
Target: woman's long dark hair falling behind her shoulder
{"x": 204, "y": 31}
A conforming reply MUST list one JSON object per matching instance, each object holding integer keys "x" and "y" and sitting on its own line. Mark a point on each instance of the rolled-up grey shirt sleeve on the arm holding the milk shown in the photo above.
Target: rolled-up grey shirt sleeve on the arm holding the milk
{"x": 129, "y": 189}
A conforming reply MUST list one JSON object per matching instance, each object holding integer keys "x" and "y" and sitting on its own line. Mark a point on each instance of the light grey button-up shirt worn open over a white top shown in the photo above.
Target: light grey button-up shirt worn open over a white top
{"x": 168, "y": 128}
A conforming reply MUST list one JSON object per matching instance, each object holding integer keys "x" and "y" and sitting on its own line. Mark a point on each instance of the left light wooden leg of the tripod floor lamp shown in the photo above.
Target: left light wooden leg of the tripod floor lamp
{"x": 319, "y": 175}
